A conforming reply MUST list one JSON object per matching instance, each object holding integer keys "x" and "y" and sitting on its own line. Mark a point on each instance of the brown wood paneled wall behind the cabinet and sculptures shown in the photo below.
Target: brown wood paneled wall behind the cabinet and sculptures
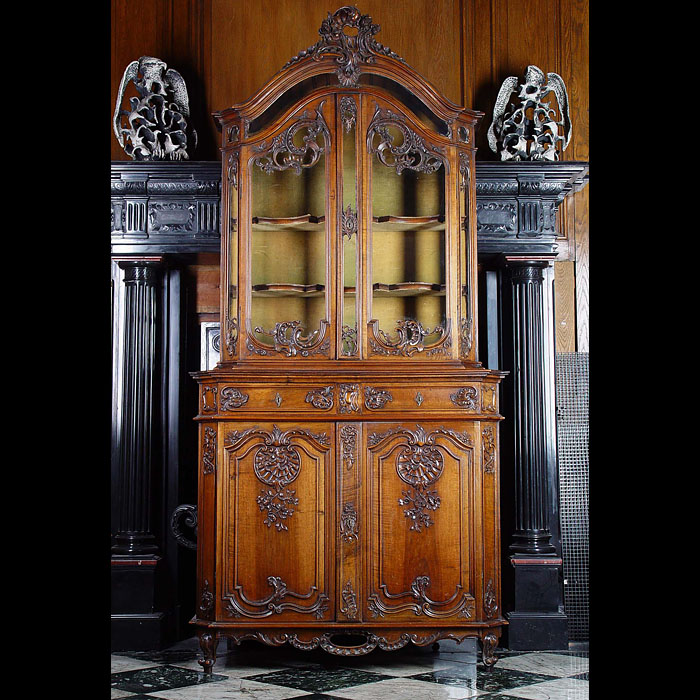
{"x": 227, "y": 49}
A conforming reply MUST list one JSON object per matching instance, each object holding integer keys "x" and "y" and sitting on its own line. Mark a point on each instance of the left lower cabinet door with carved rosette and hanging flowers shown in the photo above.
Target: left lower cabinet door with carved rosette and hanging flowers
{"x": 276, "y": 487}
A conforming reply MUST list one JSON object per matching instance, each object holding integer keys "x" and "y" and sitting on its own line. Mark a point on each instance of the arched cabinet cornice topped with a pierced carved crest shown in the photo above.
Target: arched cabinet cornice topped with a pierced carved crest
{"x": 348, "y": 60}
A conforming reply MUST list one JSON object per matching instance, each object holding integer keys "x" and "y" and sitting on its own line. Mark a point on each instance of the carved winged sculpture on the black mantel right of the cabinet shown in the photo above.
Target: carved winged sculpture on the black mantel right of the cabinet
{"x": 530, "y": 131}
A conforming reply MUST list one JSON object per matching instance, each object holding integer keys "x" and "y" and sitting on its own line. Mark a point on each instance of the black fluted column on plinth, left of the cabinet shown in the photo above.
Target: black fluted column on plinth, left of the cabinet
{"x": 137, "y": 561}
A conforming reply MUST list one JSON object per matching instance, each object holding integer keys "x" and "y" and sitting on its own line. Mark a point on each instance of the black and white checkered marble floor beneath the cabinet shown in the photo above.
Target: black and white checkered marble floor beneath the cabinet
{"x": 256, "y": 672}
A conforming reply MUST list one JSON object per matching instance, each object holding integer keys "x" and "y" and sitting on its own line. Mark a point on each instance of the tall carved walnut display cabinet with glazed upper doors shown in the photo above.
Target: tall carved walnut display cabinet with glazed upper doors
{"x": 348, "y": 437}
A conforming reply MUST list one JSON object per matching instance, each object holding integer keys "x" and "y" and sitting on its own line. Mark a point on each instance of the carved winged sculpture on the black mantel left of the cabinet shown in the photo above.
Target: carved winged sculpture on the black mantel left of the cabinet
{"x": 157, "y": 119}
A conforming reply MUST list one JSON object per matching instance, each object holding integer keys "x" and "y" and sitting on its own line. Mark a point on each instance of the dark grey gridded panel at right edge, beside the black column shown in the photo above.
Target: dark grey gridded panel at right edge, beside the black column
{"x": 572, "y": 446}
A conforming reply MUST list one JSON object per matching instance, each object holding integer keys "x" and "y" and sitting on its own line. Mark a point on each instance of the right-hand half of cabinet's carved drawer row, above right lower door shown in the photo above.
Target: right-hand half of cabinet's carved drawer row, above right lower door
{"x": 468, "y": 398}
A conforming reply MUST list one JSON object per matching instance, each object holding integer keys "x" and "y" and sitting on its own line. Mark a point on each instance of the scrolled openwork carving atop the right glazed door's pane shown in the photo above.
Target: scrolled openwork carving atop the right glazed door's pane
{"x": 412, "y": 153}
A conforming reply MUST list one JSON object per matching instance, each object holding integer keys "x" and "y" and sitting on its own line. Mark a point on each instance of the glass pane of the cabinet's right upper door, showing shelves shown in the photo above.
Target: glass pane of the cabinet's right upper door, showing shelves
{"x": 408, "y": 237}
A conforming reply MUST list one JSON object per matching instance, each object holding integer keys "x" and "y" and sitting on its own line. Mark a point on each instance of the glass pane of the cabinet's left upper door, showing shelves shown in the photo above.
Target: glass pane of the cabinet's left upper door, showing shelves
{"x": 288, "y": 242}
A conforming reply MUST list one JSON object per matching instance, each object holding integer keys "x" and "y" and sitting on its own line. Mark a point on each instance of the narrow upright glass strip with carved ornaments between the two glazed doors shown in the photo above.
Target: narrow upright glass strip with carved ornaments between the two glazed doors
{"x": 348, "y": 111}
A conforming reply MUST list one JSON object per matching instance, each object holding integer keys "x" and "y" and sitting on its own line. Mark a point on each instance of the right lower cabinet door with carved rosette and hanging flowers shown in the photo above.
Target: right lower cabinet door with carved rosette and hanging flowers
{"x": 423, "y": 514}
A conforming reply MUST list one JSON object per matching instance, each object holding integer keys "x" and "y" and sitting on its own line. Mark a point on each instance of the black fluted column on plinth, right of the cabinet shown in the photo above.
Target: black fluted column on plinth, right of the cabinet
{"x": 537, "y": 620}
